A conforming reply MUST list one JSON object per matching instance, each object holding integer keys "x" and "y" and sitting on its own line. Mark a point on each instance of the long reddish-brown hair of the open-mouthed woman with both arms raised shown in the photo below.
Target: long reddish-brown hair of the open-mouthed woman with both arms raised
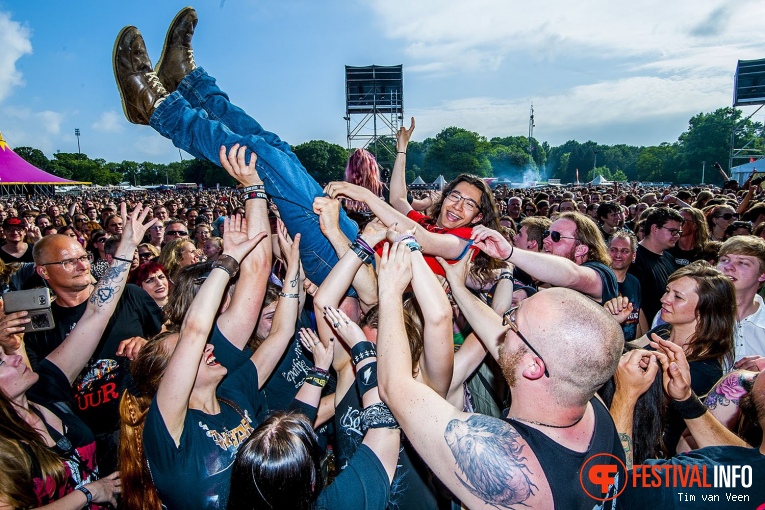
{"x": 138, "y": 491}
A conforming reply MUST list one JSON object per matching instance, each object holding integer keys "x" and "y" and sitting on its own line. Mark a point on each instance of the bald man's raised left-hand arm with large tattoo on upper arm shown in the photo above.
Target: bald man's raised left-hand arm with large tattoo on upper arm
{"x": 481, "y": 459}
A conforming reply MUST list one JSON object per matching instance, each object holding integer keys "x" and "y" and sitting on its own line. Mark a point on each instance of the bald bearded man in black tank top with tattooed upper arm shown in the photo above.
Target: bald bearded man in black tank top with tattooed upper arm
{"x": 555, "y": 350}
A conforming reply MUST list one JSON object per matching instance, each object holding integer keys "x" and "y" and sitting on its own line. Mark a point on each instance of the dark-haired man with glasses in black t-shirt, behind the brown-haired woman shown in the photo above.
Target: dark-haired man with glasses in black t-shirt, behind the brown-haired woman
{"x": 653, "y": 262}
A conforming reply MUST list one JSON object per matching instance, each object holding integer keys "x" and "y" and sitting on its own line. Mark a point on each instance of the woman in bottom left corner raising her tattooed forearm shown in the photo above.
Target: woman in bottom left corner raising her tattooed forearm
{"x": 47, "y": 454}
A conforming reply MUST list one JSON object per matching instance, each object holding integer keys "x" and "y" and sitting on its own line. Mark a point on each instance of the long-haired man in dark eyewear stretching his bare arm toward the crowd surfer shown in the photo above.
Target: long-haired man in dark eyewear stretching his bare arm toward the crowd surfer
{"x": 573, "y": 256}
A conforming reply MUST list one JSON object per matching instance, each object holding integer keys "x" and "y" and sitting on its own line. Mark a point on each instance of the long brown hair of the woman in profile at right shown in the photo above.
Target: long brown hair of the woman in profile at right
{"x": 715, "y": 312}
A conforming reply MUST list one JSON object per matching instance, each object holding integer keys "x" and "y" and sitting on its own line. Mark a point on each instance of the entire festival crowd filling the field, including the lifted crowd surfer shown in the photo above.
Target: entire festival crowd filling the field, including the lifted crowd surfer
{"x": 362, "y": 345}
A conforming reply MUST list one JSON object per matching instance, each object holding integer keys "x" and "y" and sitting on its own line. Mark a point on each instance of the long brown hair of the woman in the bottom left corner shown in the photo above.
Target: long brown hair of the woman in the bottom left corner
{"x": 22, "y": 447}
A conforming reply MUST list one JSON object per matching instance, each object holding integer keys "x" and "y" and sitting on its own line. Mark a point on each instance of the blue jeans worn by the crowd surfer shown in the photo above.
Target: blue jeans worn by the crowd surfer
{"x": 199, "y": 118}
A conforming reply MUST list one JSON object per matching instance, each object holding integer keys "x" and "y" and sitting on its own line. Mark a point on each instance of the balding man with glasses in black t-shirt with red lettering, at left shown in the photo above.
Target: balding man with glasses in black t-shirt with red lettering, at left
{"x": 64, "y": 265}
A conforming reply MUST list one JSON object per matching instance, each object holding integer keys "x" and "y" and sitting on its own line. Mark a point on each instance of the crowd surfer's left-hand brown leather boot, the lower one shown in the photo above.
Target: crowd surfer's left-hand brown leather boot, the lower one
{"x": 139, "y": 87}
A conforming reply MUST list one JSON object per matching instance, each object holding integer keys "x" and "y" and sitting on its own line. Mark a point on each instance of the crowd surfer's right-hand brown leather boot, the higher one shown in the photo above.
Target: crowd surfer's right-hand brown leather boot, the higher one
{"x": 177, "y": 58}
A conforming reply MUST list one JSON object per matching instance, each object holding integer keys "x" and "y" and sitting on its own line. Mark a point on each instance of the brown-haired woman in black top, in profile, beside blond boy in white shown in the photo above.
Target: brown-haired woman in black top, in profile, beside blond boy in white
{"x": 699, "y": 312}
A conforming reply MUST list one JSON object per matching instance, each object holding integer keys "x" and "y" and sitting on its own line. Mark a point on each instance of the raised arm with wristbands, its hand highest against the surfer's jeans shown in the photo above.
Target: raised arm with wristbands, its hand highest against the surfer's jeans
{"x": 239, "y": 320}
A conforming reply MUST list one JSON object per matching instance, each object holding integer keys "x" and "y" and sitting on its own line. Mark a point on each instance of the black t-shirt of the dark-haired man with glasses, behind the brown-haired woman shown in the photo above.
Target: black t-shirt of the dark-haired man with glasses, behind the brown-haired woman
{"x": 652, "y": 271}
